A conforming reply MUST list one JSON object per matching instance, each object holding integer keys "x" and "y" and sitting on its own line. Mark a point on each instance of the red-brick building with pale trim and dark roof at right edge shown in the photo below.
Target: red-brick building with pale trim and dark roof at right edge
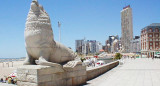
{"x": 150, "y": 40}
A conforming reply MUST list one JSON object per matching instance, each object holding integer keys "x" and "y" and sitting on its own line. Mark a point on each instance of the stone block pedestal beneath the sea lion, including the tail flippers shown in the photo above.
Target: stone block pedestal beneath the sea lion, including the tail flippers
{"x": 72, "y": 74}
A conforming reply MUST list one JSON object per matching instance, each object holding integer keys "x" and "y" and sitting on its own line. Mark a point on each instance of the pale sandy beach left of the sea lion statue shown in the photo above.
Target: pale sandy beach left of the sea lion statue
{"x": 7, "y": 68}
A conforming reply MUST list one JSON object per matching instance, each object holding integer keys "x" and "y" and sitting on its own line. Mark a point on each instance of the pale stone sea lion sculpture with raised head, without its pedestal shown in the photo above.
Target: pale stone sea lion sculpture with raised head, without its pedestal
{"x": 40, "y": 45}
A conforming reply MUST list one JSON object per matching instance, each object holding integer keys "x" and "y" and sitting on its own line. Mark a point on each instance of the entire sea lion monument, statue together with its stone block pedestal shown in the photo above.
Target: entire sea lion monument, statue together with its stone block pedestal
{"x": 48, "y": 63}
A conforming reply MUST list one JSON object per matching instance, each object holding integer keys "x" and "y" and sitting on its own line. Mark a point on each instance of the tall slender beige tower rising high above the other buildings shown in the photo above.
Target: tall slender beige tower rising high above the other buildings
{"x": 127, "y": 28}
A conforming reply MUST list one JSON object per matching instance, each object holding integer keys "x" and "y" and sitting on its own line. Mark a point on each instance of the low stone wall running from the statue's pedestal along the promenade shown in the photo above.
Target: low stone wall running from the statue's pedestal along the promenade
{"x": 94, "y": 72}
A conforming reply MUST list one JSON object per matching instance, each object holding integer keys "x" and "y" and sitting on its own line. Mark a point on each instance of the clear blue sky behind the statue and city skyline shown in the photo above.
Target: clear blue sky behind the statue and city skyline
{"x": 92, "y": 19}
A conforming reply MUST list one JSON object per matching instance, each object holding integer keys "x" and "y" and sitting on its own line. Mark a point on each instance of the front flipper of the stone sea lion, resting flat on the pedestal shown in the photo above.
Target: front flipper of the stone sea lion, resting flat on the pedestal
{"x": 43, "y": 61}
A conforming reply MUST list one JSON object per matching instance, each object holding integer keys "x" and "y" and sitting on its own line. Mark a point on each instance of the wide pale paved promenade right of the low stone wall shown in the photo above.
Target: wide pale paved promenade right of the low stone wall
{"x": 134, "y": 72}
